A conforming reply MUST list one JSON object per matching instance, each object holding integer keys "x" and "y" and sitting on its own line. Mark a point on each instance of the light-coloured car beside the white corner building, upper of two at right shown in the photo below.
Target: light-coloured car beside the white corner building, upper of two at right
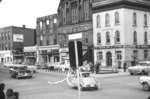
{"x": 142, "y": 67}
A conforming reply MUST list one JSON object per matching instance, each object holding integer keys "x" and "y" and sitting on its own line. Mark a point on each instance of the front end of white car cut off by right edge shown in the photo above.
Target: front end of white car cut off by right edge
{"x": 145, "y": 82}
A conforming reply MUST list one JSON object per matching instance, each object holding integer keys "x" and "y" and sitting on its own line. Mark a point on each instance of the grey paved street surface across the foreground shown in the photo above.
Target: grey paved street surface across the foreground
{"x": 117, "y": 87}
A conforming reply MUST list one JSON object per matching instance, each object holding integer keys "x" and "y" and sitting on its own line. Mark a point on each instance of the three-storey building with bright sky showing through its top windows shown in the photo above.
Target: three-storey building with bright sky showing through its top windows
{"x": 47, "y": 39}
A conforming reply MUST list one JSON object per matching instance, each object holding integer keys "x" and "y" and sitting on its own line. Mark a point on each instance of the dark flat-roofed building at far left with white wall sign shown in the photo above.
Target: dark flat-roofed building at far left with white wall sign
{"x": 12, "y": 41}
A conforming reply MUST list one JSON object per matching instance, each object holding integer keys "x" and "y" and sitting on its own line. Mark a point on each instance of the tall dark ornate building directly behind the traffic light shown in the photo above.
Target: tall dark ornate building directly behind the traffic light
{"x": 75, "y": 16}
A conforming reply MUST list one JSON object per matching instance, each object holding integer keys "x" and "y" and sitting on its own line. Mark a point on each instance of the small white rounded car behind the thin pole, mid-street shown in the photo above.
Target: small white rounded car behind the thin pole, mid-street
{"x": 86, "y": 81}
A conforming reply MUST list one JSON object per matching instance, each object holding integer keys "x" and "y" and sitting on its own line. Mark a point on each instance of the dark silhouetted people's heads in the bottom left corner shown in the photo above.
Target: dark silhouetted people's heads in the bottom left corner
{"x": 10, "y": 93}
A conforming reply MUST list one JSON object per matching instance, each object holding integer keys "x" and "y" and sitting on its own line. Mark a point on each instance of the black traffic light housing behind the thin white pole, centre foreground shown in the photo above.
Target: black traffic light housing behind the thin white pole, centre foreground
{"x": 72, "y": 54}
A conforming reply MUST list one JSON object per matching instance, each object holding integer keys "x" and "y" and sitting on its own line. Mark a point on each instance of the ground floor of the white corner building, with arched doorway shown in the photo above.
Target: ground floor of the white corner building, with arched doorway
{"x": 120, "y": 56}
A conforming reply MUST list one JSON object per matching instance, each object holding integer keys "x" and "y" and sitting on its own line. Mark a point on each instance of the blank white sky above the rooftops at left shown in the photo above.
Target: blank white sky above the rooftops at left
{"x": 25, "y": 12}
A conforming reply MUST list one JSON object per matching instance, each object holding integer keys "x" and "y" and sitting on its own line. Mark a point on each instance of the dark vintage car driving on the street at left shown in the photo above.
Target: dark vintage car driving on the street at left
{"x": 20, "y": 72}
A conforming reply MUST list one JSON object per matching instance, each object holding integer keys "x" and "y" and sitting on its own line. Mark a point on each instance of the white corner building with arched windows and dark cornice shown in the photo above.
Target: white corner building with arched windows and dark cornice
{"x": 121, "y": 32}
